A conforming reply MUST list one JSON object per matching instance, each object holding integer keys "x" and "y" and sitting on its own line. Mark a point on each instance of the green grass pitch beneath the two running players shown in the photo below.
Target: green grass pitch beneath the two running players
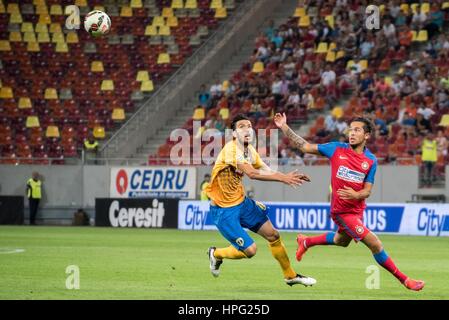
{"x": 172, "y": 264}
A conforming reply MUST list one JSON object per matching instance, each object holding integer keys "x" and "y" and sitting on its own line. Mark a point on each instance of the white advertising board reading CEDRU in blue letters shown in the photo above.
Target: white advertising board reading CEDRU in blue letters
{"x": 153, "y": 182}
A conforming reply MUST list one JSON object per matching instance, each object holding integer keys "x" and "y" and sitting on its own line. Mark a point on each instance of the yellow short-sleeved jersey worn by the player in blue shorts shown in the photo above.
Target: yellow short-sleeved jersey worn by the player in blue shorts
{"x": 226, "y": 187}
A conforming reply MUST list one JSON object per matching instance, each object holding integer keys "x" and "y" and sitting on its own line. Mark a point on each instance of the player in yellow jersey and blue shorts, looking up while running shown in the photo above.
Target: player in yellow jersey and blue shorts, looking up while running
{"x": 232, "y": 211}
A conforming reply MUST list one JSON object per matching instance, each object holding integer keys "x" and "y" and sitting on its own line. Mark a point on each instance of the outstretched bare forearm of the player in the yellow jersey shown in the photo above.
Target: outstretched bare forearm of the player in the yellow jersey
{"x": 292, "y": 179}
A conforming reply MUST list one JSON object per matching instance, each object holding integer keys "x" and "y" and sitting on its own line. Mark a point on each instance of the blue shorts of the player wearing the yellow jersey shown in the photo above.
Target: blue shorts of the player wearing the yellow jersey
{"x": 231, "y": 221}
